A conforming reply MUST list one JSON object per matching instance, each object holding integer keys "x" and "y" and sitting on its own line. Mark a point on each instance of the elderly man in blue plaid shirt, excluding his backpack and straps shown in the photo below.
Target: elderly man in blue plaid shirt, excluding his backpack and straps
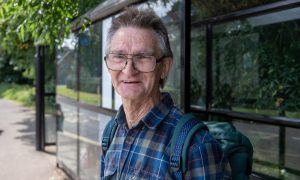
{"x": 139, "y": 58}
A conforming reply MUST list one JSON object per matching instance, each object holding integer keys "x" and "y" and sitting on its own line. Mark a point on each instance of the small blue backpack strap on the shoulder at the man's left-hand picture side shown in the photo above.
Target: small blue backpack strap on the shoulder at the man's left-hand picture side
{"x": 108, "y": 134}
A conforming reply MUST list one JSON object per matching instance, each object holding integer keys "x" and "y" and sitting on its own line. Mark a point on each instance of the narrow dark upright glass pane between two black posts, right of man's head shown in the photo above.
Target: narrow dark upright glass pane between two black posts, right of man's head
{"x": 198, "y": 66}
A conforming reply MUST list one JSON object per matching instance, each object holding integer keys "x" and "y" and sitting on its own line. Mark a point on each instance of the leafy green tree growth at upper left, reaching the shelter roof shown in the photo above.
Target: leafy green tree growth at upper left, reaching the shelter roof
{"x": 25, "y": 23}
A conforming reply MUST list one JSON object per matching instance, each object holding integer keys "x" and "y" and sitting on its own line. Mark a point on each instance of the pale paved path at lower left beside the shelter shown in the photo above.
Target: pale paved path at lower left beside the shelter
{"x": 18, "y": 158}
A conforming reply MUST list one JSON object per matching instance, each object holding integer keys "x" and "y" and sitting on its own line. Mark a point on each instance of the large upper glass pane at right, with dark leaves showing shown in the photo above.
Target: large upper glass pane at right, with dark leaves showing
{"x": 256, "y": 64}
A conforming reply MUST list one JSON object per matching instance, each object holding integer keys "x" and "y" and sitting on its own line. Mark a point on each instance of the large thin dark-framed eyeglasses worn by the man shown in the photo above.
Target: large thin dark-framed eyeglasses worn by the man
{"x": 141, "y": 62}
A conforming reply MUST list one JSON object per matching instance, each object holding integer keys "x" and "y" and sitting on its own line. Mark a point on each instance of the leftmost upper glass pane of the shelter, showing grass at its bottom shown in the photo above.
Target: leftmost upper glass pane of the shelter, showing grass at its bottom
{"x": 66, "y": 69}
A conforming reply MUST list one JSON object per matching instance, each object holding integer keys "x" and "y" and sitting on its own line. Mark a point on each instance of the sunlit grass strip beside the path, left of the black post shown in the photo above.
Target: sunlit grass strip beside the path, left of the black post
{"x": 24, "y": 94}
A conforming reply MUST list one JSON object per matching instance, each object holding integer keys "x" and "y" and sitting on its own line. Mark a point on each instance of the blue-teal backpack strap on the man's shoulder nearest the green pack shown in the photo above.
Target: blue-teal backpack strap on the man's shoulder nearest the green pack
{"x": 183, "y": 134}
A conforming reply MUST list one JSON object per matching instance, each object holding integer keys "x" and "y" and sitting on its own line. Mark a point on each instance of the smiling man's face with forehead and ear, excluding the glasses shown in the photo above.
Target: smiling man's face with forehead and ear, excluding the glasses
{"x": 130, "y": 83}
